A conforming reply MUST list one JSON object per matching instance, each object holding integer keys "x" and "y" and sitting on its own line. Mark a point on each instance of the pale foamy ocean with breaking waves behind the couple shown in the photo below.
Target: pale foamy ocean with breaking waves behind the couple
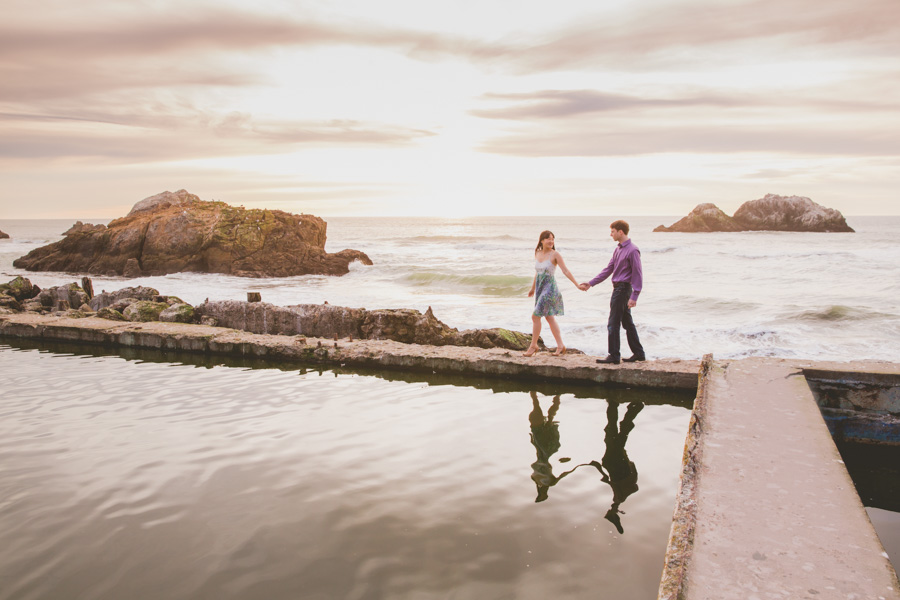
{"x": 822, "y": 296}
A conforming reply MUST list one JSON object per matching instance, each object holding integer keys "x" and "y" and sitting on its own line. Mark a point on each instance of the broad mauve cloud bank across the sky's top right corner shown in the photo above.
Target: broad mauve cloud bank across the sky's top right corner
{"x": 686, "y": 33}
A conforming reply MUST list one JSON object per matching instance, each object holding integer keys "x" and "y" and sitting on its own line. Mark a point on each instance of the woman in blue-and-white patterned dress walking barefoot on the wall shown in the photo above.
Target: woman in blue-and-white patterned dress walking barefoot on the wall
{"x": 547, "y": 299}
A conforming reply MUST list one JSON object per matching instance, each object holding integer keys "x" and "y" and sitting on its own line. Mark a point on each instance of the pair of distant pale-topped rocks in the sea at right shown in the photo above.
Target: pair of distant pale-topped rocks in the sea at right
{"x": 770, "y": 213}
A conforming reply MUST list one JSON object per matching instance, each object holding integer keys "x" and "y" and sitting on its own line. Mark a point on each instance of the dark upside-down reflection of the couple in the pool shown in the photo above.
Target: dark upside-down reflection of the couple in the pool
{"x": 615, "y": 468}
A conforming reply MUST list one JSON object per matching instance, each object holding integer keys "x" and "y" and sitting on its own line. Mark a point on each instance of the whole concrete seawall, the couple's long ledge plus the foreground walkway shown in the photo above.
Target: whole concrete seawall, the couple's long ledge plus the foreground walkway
{"x": 765, "y": 509}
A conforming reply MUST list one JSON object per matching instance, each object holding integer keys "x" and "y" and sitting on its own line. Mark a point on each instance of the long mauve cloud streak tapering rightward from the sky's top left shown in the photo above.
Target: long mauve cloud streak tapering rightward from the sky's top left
{"x": 201, "y": 48}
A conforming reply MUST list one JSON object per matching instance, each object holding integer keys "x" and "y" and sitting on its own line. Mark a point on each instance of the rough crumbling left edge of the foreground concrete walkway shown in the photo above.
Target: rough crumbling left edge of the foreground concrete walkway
{"x": 684, "y": 519}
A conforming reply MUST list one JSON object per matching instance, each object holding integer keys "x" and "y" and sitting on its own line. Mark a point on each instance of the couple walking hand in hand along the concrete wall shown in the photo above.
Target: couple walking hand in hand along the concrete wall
{"x": 627, "y": 278}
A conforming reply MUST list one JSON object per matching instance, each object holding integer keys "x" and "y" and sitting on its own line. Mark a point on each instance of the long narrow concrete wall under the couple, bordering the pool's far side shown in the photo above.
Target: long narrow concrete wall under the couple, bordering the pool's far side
{"x": 360, "y": 353}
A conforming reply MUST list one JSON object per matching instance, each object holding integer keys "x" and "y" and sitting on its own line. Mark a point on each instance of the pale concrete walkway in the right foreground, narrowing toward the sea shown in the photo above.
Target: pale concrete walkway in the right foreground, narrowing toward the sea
{"x": 767, "y": 509}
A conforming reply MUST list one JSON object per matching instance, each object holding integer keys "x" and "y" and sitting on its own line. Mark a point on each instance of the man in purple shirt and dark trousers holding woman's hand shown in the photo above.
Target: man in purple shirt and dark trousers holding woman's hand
{"x": 628, "y": 279}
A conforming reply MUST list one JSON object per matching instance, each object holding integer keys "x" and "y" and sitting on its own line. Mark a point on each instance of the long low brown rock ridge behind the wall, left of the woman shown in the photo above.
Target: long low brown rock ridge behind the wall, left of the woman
{"x": 328, "y": 321}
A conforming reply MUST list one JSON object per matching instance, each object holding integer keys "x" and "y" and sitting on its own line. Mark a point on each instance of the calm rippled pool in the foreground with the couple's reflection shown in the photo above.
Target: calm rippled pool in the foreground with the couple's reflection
{"x": 147, "y": 477}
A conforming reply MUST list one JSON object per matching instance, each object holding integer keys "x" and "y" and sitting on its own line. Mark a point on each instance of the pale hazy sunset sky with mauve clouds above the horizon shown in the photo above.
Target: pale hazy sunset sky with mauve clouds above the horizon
{"x": 449, "y": 108}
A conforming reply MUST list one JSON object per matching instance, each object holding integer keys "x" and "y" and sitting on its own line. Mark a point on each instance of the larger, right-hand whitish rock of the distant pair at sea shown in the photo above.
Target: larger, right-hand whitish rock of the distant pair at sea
{"x": 789, "y": 213}
